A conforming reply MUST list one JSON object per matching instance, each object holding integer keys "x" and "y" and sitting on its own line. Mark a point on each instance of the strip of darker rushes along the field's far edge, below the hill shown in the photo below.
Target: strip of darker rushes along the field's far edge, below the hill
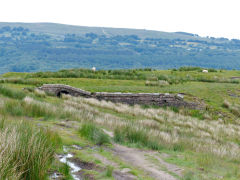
{"x": 185, "y": 74}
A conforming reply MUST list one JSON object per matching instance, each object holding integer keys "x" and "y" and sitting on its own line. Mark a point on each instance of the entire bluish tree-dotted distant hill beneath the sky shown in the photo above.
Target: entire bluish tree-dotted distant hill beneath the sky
{"x": 49, "y": 47}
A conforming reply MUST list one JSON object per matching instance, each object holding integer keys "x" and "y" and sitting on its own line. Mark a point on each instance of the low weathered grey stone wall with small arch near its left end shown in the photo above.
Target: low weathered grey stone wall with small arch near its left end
{"x": 158, "y": 99}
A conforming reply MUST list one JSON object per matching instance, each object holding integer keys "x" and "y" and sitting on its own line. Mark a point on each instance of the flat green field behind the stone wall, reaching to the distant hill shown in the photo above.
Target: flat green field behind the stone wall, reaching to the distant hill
{"x": 212, "y": 88}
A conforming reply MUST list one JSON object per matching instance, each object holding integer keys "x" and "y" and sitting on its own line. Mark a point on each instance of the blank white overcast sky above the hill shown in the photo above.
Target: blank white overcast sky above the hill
{"x": 216, "y": 18}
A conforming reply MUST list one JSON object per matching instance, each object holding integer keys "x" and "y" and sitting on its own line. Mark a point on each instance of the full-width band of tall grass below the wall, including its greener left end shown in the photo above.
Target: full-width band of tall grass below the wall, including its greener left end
{"x": 166, "y": 128}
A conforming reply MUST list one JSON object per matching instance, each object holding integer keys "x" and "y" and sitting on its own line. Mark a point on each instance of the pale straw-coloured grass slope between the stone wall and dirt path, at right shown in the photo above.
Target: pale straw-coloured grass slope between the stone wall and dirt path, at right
{"x": 169, "y": 129}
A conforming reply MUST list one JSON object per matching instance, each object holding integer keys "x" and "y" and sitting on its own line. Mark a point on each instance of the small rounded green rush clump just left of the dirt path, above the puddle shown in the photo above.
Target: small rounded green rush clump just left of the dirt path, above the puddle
{"x": 94, "y": 133}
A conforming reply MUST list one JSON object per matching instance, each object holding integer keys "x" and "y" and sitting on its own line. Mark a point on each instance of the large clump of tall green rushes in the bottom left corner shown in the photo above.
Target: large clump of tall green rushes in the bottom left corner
{"x": 26, "y": 152}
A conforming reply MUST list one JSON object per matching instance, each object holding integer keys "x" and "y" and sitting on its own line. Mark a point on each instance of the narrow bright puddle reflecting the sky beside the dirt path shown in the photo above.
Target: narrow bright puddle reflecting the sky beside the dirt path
{"x": 74, "y": 167}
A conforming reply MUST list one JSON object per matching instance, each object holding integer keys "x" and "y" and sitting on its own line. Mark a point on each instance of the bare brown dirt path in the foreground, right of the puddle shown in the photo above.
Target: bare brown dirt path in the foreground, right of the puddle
{"x": 148, "y": 161}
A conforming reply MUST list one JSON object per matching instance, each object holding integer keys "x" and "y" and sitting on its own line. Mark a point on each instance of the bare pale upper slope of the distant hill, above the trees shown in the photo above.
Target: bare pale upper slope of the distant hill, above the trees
{"x": 62, "y": 29}
